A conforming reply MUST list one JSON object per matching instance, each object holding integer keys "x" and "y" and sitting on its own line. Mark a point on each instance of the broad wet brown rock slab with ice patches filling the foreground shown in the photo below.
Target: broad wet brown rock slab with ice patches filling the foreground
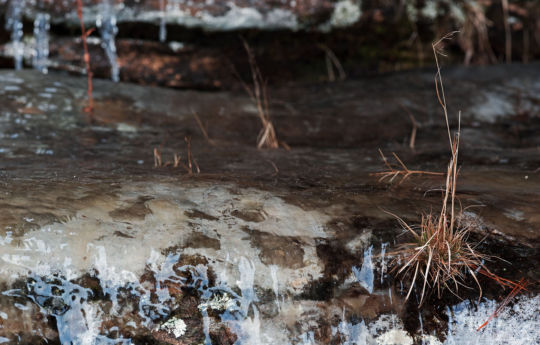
{"x": 263, "y": 246}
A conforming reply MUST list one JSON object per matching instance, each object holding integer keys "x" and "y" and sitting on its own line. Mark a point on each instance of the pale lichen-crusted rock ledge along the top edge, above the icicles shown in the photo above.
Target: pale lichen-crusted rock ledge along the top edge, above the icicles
{"x": 212, "y": 16}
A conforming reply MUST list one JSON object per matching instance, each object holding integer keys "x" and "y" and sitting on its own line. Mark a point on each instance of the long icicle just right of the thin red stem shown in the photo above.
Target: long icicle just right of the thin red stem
{"x": 106, "y": 22}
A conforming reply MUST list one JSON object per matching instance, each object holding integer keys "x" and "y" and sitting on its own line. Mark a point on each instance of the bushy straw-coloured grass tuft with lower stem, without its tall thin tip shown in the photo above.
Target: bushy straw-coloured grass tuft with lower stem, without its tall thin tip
{"x": 440, "y": 253}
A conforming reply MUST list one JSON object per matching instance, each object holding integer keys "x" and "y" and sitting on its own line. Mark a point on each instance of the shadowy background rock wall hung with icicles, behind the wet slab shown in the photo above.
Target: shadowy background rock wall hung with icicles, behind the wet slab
{"x": 197, "y": 45}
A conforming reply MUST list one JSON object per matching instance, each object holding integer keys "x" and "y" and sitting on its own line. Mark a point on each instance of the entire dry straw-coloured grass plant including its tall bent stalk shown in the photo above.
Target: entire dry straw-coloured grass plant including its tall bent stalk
{"x": 440, "y": 256}
